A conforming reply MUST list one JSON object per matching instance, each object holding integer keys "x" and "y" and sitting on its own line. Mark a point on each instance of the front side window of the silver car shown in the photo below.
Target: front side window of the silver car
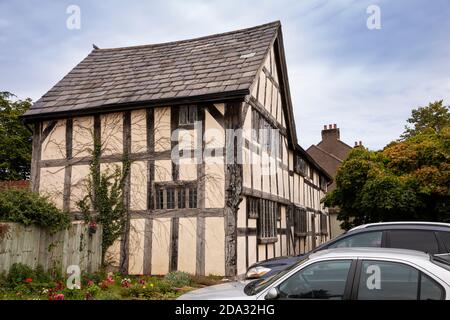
{"x": 321, "y": 280}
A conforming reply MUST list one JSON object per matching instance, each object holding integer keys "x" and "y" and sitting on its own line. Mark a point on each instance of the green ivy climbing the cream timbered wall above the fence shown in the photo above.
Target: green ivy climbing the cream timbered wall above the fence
{"x": 104, "y": 201}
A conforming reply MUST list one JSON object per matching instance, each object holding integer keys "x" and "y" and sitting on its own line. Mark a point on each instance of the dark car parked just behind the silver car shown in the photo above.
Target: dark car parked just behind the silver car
{"x": 430, "y": 237}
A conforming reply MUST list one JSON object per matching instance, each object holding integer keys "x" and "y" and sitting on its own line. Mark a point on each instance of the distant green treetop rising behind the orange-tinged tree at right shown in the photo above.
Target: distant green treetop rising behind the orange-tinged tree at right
{"x": 435, "y": 116}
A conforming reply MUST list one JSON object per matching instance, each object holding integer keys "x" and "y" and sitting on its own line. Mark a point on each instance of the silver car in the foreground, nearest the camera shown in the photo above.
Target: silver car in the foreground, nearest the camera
{"x": 347, "y": 273}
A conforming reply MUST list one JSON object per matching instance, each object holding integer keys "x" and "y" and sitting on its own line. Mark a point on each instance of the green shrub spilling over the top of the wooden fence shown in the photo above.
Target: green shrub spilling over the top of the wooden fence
{"x": 29, "y": 208}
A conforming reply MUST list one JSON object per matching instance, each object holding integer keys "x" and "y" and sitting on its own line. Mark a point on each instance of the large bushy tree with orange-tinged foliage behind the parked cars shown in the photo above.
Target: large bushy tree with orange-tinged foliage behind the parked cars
{"x": 408, "y": 180}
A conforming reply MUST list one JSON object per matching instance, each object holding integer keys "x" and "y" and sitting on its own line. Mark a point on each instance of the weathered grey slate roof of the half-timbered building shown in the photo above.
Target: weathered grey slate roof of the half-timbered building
{"x": 221, "y": 63}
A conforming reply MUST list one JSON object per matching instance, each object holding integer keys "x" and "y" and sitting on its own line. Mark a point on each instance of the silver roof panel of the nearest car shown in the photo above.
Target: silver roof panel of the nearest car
{"x": 388, "y": 253}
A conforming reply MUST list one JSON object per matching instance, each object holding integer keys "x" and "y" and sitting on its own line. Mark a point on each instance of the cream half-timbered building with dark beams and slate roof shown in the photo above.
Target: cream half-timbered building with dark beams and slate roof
{"x": 217, "y": 179}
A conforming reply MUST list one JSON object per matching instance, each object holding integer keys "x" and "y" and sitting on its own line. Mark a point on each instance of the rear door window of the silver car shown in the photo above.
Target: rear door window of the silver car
{"x": 381, "y": 280}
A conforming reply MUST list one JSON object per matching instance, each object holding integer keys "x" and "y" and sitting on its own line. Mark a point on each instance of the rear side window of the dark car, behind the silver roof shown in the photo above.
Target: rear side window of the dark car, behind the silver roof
{"x": 413, "y": 239}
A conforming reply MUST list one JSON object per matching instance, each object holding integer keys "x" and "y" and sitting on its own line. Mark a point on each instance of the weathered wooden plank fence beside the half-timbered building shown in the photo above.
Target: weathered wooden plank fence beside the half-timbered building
{"x": 34, "y": 246}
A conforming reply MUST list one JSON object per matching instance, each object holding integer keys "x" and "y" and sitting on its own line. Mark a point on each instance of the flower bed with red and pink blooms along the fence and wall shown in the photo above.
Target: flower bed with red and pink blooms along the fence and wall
{"x": 23, "y": 283}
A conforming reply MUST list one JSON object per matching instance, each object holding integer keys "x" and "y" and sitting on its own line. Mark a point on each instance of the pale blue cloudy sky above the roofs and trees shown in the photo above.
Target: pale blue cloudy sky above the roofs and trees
{"x": 366, "y": 81}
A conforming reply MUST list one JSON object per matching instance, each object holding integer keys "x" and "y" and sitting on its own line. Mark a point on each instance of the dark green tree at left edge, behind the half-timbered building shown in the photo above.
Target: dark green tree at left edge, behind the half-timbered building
{"x": 15, "y": 139}
